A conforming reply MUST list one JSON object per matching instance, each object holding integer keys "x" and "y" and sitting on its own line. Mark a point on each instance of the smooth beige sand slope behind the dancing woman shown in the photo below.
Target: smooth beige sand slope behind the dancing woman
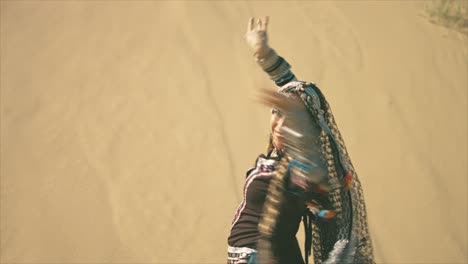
{"x": 127, "y": 127}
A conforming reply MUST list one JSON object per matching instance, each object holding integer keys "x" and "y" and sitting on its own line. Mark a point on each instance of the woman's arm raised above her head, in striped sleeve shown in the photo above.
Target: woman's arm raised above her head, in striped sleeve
{"x": 274, "y": 65}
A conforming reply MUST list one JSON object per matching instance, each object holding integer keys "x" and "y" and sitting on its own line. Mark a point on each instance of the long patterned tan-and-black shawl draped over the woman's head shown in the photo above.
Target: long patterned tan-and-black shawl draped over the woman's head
{"x": 345, "y": 238}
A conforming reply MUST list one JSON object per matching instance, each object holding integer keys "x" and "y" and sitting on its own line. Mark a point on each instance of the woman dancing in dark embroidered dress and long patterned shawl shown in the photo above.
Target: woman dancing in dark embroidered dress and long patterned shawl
{"x": 306, "y": 174}
